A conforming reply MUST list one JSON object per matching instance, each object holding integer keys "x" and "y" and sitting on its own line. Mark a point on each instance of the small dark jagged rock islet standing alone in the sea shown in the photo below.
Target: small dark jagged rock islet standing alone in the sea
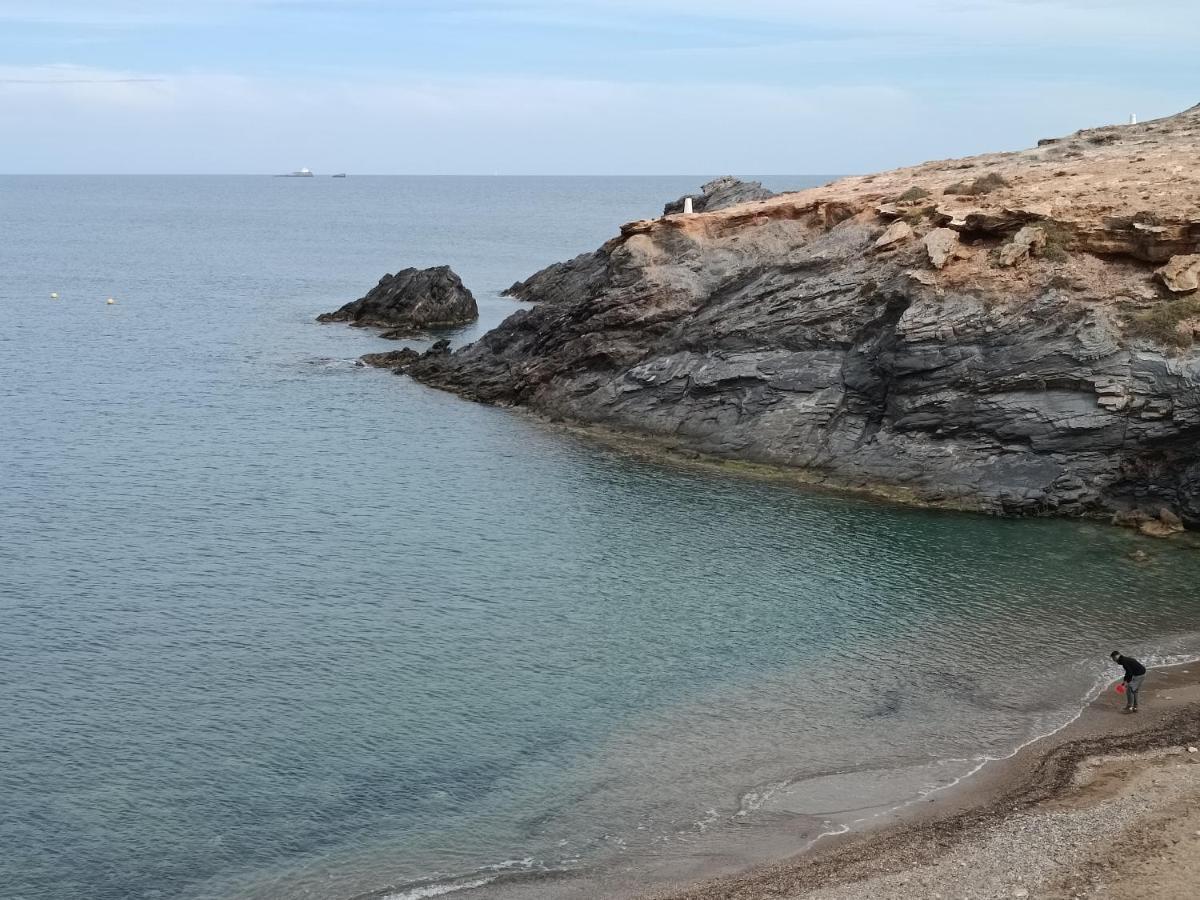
{"x": 412, "y": 302}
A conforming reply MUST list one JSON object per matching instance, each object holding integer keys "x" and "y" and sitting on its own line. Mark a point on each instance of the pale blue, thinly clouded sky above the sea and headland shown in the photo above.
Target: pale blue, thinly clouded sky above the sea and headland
{"x": 573, "y": 87}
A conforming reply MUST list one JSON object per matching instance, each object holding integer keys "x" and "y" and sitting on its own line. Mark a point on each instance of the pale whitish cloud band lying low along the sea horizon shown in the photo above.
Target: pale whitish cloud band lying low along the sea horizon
{"x": 76, "y": 119}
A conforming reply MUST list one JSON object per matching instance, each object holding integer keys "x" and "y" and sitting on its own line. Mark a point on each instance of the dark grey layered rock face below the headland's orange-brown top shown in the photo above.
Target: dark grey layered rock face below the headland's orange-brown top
{"x": 849, "y": 367}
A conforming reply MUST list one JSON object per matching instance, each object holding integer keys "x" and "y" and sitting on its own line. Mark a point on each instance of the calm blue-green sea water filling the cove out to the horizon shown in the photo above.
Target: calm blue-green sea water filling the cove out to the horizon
{"x": 273, "y": 626}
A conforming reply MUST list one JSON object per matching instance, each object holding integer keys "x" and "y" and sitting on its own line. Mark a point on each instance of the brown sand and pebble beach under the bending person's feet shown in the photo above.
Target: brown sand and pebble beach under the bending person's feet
{"x": 1106, "y": 808}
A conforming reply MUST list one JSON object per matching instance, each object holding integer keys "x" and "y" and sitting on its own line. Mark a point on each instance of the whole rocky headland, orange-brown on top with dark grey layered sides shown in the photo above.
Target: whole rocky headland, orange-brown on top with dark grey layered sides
{"x": 1011, "y": 333}
